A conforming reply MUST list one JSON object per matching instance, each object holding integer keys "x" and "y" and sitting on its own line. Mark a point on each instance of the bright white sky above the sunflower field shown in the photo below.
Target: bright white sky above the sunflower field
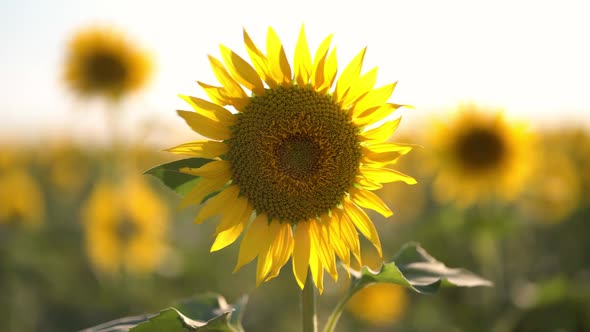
{"x": 530, "y": 58}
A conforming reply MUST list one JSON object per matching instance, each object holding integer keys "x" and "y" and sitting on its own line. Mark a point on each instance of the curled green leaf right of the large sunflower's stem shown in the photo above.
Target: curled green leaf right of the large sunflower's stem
{"x": 415, "y": 268}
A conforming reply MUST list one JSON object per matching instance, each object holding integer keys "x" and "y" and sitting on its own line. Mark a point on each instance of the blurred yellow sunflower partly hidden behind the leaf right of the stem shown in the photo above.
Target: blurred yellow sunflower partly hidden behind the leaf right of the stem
{"x": 378, "y": 304}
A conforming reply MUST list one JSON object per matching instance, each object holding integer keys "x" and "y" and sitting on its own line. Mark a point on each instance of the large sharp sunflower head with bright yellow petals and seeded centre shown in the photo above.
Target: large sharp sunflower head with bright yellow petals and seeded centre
{"x": 297, "y": 161}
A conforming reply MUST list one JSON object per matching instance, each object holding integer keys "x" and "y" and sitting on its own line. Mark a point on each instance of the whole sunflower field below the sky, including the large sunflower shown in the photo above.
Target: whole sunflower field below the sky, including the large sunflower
{"x": 301, "y": 193}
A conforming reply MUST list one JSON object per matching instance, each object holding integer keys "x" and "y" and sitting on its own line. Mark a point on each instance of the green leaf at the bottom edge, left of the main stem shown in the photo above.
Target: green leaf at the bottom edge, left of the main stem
{"x": 209, "y": 312}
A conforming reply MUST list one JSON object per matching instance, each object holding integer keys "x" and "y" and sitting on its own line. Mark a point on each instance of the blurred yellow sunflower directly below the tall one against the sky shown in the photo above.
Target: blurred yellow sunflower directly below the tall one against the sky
{"x": 125, "y": 227}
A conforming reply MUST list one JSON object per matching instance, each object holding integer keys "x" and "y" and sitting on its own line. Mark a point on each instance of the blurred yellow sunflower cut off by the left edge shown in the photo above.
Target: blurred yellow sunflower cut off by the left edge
{"x": 21, "y": 198}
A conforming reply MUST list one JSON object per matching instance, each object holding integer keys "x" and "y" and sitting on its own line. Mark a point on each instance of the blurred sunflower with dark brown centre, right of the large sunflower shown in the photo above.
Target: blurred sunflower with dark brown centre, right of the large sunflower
{"x": 479, "y": 156}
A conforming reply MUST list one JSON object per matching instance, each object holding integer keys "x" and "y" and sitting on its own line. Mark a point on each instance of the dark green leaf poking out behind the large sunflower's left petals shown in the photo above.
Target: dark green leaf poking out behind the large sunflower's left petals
{"x": 171, "y": 176}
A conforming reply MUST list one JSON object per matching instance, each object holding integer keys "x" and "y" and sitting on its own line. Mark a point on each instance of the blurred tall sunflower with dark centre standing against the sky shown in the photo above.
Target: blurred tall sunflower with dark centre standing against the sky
{"x": 102, "y": 62}
